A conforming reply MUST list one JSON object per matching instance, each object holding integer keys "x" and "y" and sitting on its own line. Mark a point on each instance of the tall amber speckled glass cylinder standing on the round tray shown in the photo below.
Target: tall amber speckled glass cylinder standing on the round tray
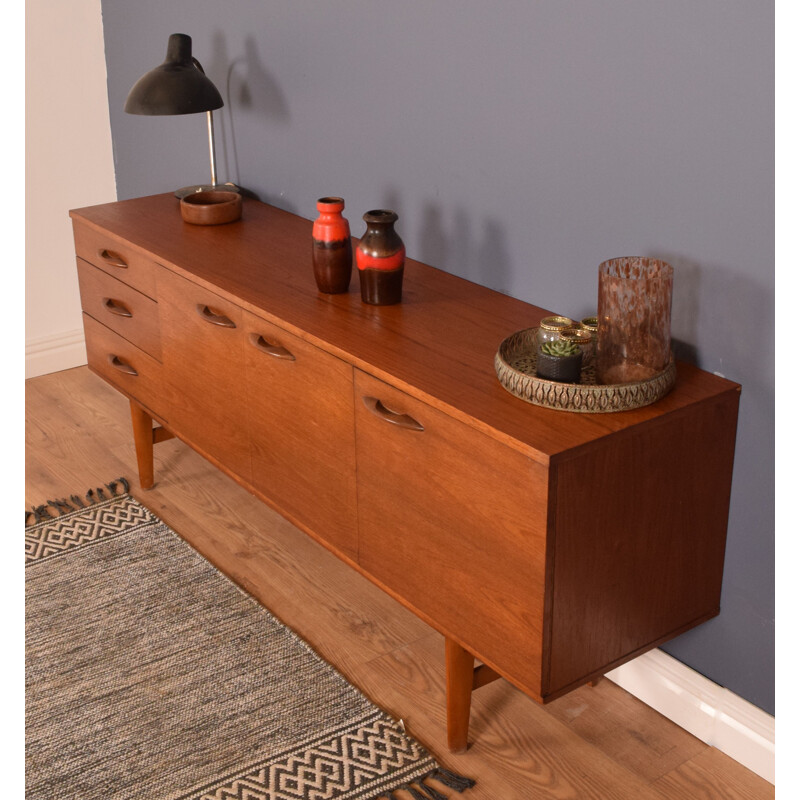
{"x": 634, "y": 309}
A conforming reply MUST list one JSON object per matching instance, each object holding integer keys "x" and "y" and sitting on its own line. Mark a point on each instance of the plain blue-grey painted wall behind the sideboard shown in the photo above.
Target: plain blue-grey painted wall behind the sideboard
{"x": 522, "y": 142}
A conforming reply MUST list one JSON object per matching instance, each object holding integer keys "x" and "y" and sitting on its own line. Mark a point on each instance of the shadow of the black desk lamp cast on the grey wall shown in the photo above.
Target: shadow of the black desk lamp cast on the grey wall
{"x": 248, "y": 87}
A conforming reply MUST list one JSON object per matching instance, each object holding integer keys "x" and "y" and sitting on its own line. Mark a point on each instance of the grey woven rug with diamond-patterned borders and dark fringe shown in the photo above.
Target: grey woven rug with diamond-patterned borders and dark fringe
{"x": 151, "y": 675}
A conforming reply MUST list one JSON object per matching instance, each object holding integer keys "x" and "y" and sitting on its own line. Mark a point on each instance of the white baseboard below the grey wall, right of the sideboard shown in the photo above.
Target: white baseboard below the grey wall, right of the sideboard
{"x": 708, "y": 711}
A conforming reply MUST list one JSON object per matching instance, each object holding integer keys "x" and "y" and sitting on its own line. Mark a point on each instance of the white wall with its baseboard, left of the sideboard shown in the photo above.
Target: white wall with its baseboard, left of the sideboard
{"x": 68, "y": 164}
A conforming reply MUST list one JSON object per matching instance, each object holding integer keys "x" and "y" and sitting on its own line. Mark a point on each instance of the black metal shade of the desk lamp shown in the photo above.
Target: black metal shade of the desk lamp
{"x": 178, "y": 86}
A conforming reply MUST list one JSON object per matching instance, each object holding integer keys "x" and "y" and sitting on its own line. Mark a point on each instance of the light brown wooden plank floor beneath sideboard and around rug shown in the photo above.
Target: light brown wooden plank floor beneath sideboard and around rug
{"x": 597, "y": 742}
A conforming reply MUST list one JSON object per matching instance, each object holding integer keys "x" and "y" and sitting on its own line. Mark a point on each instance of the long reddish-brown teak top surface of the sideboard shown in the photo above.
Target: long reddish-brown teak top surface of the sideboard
{"x": 438, "y": 344}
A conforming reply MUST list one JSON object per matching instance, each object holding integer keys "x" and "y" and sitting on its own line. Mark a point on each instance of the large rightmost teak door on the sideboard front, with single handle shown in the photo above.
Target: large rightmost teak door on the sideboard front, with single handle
{"x": 454, "y": 523}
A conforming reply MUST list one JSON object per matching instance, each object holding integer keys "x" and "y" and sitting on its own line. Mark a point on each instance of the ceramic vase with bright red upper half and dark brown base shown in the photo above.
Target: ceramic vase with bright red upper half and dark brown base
{"x": 332, "y": 247}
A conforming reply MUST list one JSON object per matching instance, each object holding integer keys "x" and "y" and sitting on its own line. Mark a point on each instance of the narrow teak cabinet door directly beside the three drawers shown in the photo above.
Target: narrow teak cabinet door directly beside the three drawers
{"x": 202, "y": 352}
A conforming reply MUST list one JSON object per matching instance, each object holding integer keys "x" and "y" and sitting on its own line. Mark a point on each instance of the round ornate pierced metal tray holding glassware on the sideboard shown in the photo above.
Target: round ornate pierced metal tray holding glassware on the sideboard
{"x": 515, "y": 364}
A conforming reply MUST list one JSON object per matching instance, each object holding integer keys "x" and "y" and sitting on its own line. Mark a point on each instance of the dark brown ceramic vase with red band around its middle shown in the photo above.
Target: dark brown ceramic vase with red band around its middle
{"x": 380, "y": 258}
